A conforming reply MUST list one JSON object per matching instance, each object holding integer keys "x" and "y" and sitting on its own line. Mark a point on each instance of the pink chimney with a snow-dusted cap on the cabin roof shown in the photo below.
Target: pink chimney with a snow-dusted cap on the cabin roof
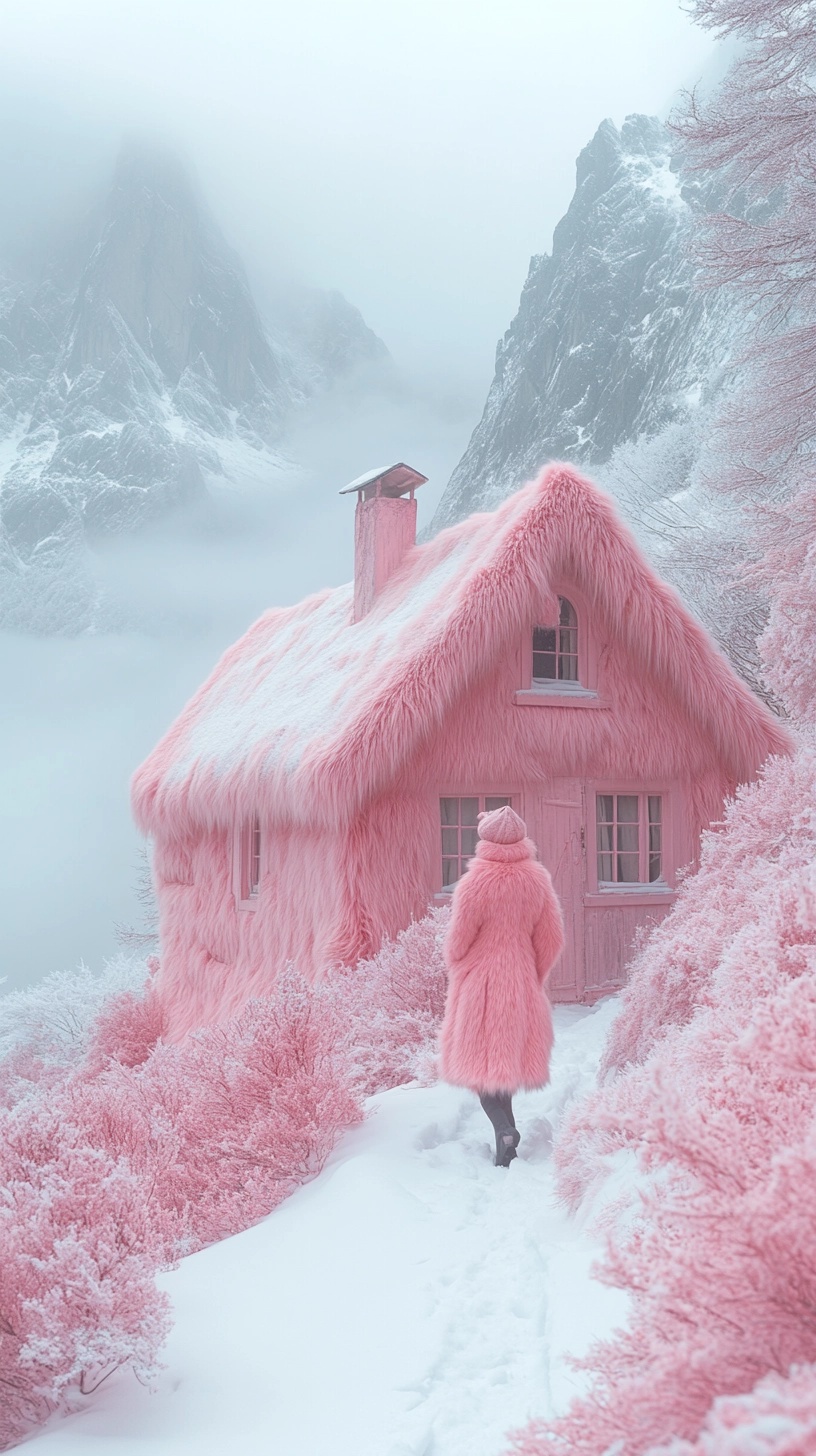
{"x": 385, "y": 528}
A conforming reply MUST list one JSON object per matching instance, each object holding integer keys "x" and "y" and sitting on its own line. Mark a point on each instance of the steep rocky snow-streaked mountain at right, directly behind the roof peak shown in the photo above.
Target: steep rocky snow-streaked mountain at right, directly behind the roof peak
{"x": 611, "y": 343}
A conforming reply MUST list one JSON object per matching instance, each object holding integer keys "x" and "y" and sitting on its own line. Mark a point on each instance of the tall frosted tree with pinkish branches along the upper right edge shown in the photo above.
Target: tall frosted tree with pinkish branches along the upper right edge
{"x": 758, "y": 135}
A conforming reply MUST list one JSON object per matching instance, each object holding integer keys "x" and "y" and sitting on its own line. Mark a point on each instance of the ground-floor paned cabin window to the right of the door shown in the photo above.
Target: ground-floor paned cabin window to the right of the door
{"x": 630, "y": 839}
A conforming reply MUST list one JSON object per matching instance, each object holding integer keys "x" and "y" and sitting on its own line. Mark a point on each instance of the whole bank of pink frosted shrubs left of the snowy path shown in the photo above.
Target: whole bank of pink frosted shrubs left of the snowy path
{"x": 126, "y": 1152}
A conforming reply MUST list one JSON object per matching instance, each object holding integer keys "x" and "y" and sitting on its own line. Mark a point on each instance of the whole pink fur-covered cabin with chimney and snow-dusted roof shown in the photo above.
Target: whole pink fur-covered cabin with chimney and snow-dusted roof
{"x": 324, "y": 784}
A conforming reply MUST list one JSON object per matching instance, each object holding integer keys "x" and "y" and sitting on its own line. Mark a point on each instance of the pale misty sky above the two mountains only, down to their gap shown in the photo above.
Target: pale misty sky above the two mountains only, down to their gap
{"x": 412, "y": 154}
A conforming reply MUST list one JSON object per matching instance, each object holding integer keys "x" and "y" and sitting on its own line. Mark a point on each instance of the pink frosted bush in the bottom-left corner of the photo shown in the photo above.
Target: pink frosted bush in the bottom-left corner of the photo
{"x": 78, "y": 1257}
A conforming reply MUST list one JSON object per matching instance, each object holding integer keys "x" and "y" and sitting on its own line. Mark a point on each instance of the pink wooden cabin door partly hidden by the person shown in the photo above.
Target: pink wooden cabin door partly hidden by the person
{"x": 556, "y": 819}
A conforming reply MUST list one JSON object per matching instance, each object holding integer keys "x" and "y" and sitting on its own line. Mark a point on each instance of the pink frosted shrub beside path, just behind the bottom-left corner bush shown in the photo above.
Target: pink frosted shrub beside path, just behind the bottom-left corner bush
{"x": 229, "y": 1122}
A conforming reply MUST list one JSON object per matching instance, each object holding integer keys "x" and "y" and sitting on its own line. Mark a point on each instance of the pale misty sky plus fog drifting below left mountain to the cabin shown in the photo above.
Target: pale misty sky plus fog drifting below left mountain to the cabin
{"x": 412, "y": 154}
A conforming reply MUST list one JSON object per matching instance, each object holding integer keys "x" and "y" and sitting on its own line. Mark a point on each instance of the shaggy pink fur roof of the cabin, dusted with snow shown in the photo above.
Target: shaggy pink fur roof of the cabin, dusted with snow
{"x": 311, "y": 714}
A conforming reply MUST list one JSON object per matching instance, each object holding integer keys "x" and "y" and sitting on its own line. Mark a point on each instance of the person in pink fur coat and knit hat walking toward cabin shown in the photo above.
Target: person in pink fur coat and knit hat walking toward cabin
{"x": 506, "y": 934}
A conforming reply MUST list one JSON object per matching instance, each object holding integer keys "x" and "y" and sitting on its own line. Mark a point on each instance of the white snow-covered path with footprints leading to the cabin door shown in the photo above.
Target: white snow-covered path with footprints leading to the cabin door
{"x": 415, "y": 1301}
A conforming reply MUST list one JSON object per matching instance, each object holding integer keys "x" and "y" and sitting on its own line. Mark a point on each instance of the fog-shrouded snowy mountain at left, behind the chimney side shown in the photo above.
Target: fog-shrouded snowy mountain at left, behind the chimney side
{"x": 136, "y": 371}
